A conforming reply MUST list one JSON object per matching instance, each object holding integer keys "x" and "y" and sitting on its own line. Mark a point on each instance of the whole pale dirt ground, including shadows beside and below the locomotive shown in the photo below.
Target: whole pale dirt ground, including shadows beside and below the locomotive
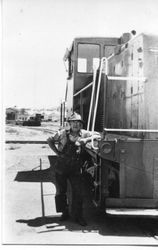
{"x": 22, "y": 210}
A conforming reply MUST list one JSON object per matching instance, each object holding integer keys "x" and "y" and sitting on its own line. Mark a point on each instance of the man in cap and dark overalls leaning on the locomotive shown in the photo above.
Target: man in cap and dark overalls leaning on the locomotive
{"x": 68, "y": 166}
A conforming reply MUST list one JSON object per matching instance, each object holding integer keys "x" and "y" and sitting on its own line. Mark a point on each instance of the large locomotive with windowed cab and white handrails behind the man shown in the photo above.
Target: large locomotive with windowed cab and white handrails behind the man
{"x": 113, "y": 83}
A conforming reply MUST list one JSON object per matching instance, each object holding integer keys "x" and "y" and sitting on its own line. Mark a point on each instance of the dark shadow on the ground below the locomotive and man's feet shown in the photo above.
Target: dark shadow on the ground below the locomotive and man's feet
{"x": 108, "y": 225}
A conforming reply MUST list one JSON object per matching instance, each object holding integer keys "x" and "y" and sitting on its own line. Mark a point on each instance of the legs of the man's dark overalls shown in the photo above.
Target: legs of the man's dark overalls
{"x": 76, "y": 191}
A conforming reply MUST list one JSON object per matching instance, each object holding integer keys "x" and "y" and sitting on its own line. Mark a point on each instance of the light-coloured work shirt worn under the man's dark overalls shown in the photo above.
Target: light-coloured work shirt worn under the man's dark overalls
{"x": 61, "y": 137}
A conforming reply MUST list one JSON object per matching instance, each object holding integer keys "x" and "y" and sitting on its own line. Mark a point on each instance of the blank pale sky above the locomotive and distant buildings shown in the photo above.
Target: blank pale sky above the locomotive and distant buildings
{"x": 36, "y": 33}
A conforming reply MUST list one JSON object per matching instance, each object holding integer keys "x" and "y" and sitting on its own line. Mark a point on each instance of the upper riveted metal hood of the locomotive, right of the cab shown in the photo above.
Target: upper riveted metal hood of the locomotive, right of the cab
{"x": 133, "y": 103}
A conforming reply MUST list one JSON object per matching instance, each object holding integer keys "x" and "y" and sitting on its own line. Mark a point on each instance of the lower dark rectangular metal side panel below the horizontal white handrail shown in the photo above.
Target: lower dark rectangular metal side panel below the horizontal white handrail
{"x": 139, "y": 168}
